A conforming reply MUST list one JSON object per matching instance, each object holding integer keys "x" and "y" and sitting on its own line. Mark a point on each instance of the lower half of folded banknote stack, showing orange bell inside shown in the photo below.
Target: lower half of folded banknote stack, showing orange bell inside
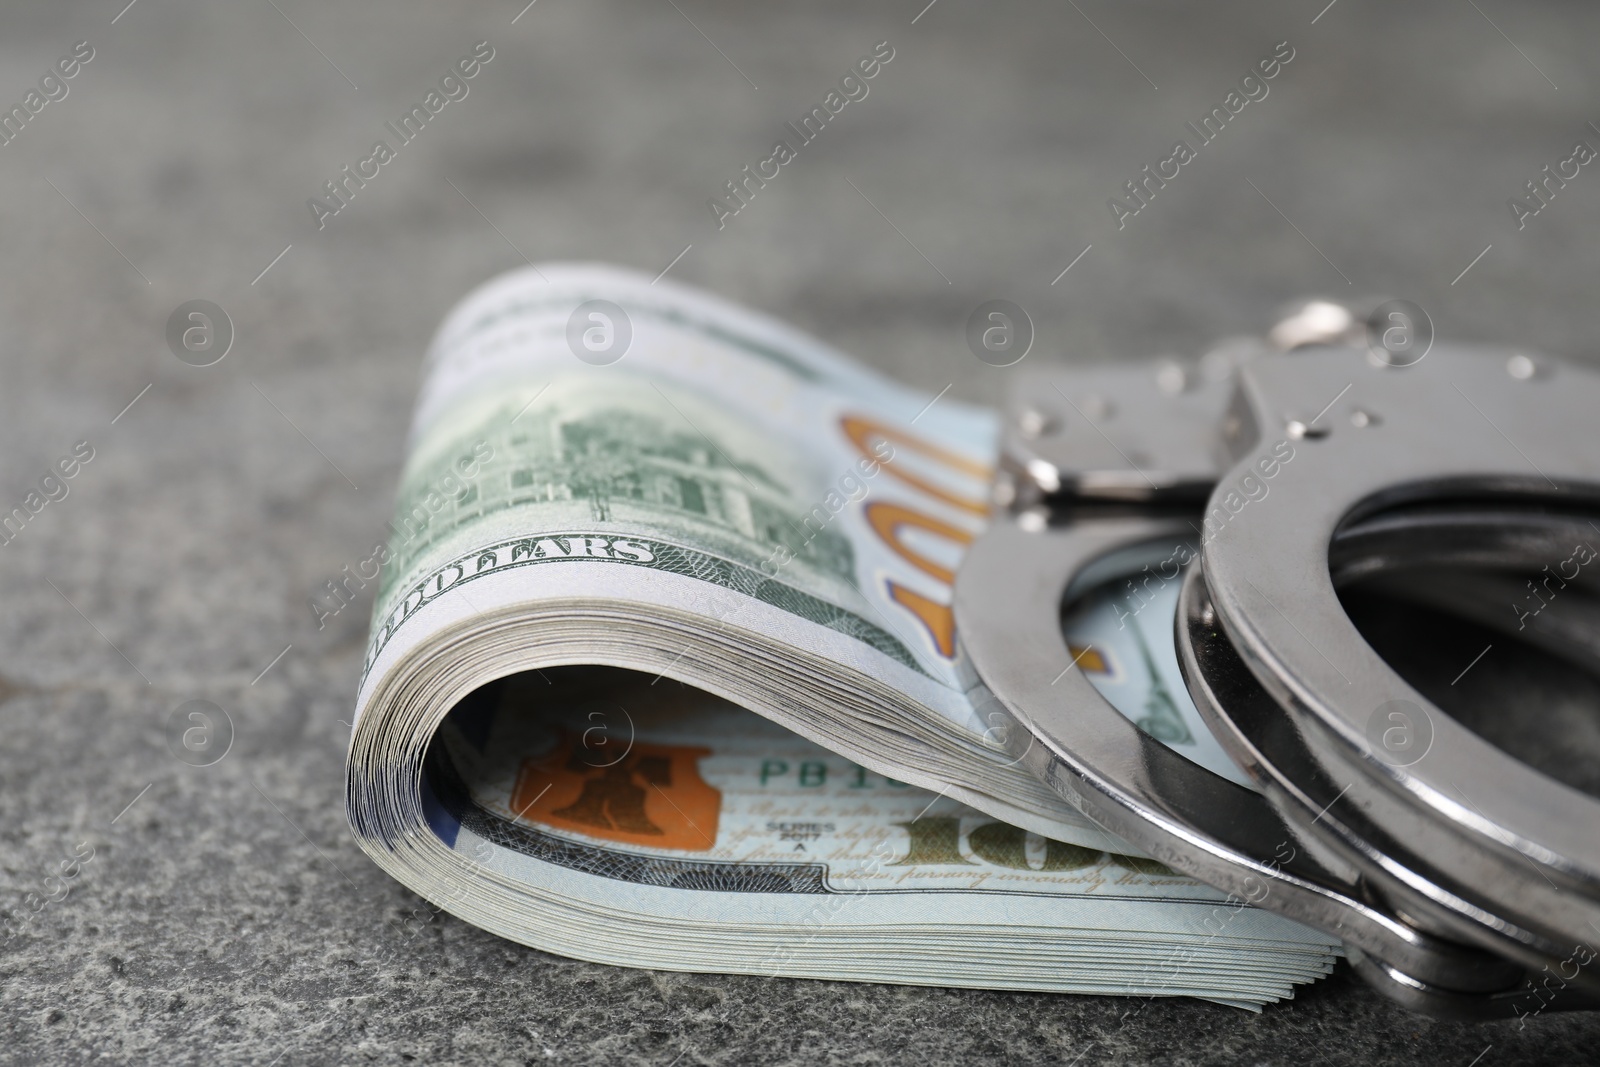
{"x": 630, "y": 821}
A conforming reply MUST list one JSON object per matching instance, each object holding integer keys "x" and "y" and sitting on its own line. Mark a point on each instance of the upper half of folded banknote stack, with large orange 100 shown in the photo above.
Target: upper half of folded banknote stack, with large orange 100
{"x": 612, "y": 471}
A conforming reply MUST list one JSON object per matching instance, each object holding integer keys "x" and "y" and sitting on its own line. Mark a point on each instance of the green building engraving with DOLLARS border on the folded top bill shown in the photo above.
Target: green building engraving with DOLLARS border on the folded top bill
{"x": 618, "y": 462}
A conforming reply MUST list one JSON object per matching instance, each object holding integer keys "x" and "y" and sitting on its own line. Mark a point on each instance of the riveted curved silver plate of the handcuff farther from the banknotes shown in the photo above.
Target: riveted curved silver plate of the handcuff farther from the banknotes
{"x": 1498, "y": 853}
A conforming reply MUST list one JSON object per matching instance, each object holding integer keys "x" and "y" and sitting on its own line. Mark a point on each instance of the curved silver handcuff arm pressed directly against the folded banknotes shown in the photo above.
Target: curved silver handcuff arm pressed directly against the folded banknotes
{"x": 1009, "y": 599}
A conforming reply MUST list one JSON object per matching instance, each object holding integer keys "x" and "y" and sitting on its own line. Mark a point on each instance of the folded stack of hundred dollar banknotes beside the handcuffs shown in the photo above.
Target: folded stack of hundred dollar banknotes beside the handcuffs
{"x": 665, "y": 674}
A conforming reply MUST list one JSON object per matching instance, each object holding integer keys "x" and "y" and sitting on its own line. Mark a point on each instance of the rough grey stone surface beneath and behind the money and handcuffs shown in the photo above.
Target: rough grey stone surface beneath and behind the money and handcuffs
{"x": 226, "y": 916}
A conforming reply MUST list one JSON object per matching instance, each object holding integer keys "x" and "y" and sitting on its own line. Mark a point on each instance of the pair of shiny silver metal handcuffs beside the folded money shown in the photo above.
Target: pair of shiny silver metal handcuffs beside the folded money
{"x": 1463, "y": 882}
